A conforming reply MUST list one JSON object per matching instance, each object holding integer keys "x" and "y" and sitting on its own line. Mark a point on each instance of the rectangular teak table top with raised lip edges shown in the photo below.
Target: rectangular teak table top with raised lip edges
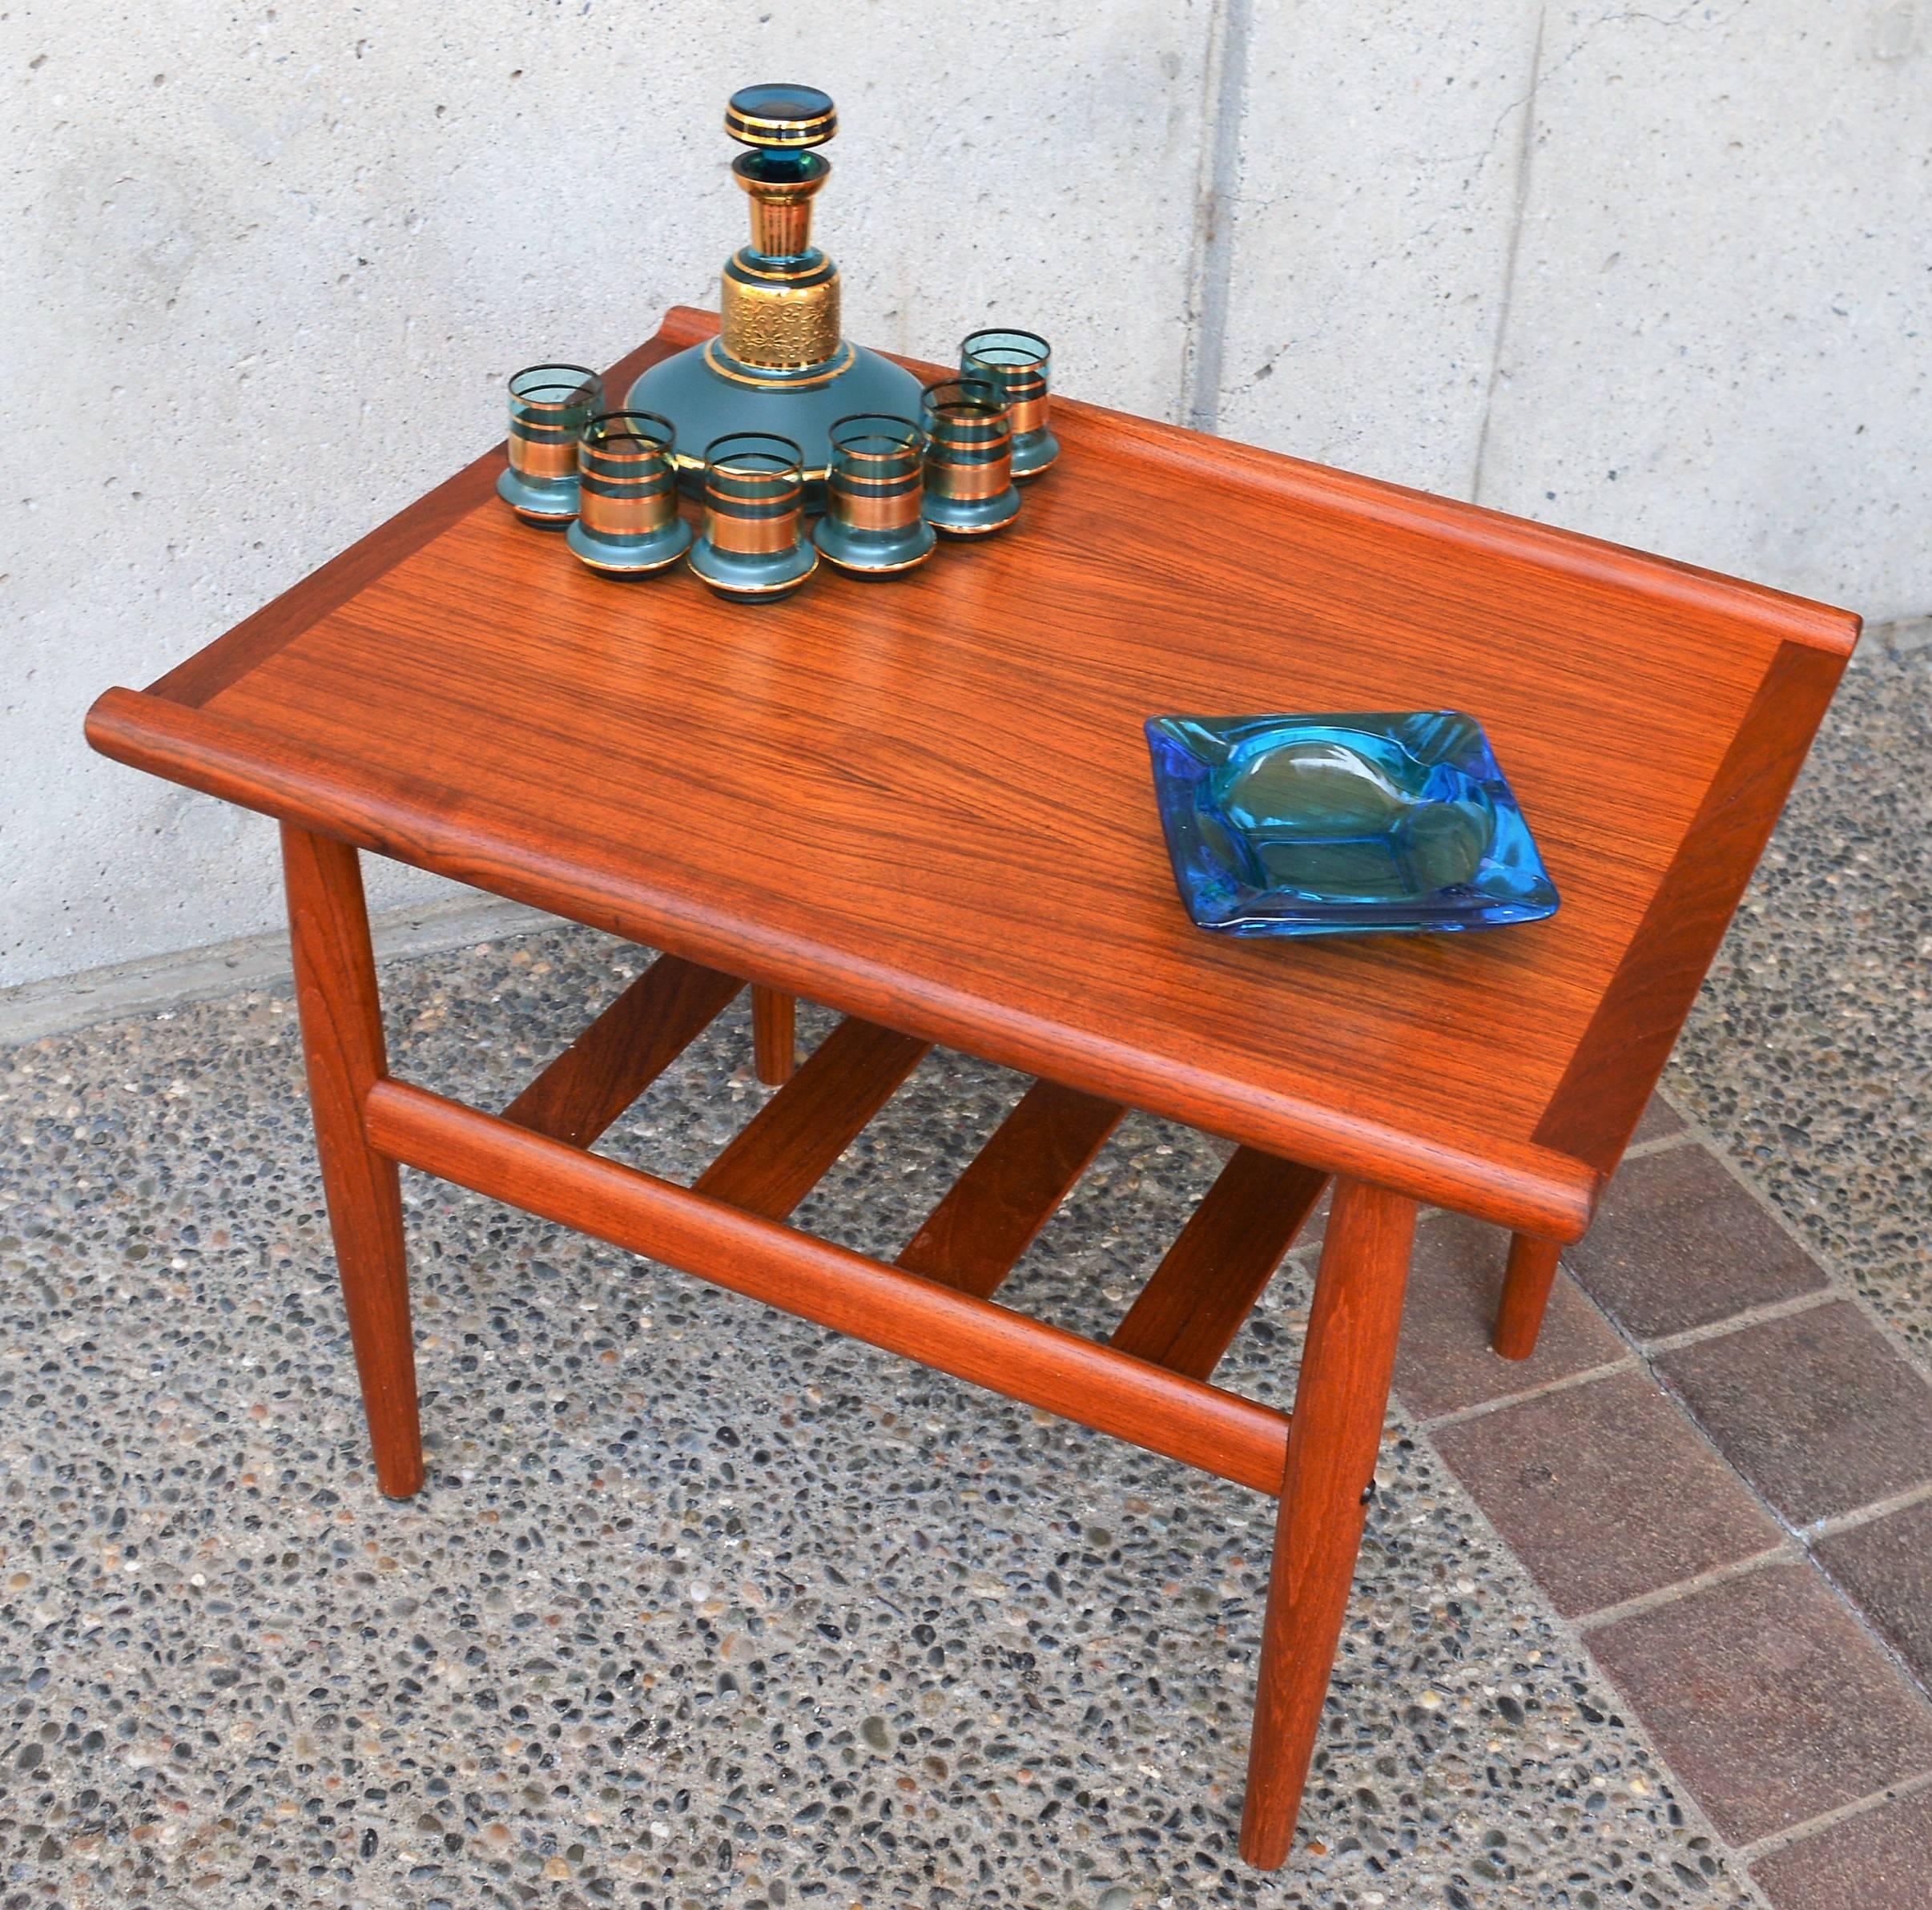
{"x": 928, "y": 801}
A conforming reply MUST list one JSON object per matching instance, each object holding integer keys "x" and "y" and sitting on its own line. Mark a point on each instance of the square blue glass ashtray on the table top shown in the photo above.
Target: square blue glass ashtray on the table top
{"x": 1390, "y": 823}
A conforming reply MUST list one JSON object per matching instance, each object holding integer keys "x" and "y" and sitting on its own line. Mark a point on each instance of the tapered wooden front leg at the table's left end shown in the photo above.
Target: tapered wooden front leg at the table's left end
{"x": 343, "y": 1041}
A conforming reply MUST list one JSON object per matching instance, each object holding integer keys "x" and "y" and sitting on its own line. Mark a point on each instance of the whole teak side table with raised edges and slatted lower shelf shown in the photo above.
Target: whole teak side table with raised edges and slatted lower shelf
{"x": 926, "y": 805}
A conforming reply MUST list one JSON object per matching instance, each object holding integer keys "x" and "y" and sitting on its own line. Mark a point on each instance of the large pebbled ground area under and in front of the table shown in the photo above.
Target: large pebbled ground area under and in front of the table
{"x": 702, "y": 1606}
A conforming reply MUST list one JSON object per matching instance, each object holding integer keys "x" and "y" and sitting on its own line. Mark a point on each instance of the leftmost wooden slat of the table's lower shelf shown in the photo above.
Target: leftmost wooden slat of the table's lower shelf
{"x": 623, "y": 1051}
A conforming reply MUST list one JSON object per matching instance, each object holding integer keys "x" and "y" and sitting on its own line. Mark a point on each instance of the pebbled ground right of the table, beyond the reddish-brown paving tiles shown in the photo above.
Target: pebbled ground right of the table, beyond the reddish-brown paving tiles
{"x": 1809, "y": 1055}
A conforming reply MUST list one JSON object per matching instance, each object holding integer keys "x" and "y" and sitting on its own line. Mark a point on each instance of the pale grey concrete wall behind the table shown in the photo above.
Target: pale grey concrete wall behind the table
{"x": 1659, "y": 275}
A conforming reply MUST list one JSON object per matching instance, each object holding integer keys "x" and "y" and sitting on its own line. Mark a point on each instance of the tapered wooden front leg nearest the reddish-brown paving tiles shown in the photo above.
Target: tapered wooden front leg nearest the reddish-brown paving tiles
{"x": 1340, "y": 1406}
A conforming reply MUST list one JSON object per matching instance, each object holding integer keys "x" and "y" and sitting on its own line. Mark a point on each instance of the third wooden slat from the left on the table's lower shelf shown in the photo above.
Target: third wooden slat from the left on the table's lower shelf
{"x": 992, "y": 1213}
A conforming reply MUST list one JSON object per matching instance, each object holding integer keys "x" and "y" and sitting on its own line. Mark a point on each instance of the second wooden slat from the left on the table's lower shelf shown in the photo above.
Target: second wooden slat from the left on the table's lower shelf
{"x": 791, "y": 1143}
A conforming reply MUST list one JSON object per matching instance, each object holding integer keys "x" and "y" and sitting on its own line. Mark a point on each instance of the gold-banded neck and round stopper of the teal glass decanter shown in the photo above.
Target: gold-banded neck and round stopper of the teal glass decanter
{"x": 781, "y": 295}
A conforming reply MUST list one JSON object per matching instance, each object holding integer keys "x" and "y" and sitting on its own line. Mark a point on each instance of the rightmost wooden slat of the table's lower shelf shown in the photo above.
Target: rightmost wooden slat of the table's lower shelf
{"x": 1228, "y": 1254}
